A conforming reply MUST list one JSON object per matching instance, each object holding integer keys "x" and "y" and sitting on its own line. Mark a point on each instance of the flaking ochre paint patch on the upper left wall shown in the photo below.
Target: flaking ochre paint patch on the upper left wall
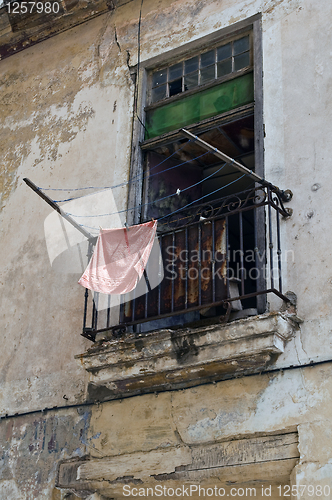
{"x": 38, "y": 110}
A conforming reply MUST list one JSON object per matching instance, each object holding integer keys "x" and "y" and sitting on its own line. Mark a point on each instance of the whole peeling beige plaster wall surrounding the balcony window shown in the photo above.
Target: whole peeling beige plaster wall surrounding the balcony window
{"x": 66, "y": 109}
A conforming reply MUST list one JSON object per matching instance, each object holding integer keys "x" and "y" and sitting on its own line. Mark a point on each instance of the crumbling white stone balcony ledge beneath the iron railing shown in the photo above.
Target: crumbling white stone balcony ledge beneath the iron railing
{"x": 165, "y": 359}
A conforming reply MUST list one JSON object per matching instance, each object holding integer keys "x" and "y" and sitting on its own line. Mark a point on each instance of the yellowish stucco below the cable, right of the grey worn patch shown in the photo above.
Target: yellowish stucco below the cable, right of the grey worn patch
{"x": 296, "y": 399}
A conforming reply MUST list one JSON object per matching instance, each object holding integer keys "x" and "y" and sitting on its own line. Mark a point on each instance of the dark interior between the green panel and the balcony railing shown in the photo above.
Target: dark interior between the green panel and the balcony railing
{"x": 189, "y": 164}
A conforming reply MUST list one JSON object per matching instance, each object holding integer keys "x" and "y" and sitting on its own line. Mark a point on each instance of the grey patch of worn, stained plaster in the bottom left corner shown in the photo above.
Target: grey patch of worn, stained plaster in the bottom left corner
{"x": 34, "y": 445}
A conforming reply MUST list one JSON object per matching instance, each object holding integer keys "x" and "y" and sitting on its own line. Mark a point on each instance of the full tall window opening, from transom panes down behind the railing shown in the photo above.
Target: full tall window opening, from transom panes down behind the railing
{"x": 214, "y": 87}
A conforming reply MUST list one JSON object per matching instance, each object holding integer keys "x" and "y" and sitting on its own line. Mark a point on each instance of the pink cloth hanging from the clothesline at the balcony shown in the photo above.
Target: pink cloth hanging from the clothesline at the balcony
{"x": 119, "y": 259}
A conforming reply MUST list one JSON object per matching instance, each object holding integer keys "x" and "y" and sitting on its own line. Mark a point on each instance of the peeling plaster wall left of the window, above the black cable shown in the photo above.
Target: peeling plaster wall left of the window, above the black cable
{"x": 65, "y": 121}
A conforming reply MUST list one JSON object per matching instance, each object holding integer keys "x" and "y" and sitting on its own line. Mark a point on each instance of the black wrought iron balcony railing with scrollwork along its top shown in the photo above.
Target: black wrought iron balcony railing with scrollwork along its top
{"x": 209, "y": 261}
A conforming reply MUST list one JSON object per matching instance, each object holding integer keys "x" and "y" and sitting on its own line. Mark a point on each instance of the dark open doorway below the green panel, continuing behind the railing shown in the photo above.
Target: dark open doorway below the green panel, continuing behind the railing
{"x": 236, "y": 139}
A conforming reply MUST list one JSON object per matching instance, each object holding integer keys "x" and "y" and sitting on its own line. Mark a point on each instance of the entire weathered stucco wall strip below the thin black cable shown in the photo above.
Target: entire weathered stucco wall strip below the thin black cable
{"x": 293, "y": 401}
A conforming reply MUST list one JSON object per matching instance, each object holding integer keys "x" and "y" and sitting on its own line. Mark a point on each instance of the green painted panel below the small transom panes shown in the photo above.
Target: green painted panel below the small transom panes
{"x": 194, "y": 108}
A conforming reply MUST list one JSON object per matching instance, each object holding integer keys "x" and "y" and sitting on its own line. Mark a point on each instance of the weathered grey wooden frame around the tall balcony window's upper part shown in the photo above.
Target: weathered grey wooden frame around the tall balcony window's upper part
{"x": 141, "y": 76}
